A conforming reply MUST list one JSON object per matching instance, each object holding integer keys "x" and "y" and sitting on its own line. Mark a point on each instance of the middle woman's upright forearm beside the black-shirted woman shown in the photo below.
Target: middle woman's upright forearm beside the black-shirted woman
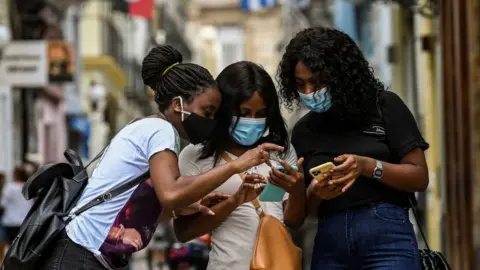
{"x": 296, "y": 208}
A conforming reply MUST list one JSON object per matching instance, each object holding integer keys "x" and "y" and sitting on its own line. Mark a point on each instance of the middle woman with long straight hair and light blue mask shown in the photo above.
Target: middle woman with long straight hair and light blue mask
{"x": 249, "y": 115}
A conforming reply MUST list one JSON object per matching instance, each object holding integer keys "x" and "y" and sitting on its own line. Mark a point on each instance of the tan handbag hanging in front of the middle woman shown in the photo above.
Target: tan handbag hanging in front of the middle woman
{"x": 274, "y": 248}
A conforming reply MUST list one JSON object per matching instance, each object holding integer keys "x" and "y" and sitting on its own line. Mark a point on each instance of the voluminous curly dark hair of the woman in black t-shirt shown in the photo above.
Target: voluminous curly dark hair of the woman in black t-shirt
{"x": 333, "y": 57}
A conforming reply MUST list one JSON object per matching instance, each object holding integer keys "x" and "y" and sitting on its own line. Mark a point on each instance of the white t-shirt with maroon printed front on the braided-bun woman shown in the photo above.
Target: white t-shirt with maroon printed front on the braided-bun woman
{"x": 105, "y": 228}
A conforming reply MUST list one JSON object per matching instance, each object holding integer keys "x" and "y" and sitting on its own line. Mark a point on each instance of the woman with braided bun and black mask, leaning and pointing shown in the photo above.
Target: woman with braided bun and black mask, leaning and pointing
{"x": 105, "y": 236}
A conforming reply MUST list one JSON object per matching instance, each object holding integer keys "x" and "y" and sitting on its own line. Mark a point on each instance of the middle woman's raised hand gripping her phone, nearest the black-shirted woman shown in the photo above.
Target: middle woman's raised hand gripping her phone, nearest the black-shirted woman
{"x": 290, "y": 182}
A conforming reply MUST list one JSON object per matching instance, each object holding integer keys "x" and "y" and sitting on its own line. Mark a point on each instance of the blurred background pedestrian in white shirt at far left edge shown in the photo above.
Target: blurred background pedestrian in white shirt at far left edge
{"x": 15, "y": 206}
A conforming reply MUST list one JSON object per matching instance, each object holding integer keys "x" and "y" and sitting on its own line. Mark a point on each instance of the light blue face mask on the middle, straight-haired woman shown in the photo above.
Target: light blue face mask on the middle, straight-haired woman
{"x": 248, "y": 130}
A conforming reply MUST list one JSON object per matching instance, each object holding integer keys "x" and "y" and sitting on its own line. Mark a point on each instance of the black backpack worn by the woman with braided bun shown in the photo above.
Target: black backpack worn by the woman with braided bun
{"x": 57, "y": 188}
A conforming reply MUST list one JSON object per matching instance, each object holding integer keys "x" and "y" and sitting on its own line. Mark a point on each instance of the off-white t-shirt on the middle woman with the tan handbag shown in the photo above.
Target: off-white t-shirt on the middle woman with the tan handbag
{"x": 233, "y": 240}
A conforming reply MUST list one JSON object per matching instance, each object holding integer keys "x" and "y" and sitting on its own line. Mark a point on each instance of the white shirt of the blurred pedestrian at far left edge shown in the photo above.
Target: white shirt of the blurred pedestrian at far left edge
{"x": 15, "y": 206}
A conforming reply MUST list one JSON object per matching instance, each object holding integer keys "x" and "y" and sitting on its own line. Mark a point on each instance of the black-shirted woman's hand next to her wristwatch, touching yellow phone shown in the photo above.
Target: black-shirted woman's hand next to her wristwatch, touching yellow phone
{"x": 345, "y": 174}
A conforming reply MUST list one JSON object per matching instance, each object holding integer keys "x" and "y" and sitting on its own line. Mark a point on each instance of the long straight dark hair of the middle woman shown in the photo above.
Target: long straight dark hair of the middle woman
{"x": 237, "y": 83}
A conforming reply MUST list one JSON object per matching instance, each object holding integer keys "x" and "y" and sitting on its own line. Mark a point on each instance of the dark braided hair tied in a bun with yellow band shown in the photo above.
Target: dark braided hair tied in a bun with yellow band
{"x": 164, "y": 72}
